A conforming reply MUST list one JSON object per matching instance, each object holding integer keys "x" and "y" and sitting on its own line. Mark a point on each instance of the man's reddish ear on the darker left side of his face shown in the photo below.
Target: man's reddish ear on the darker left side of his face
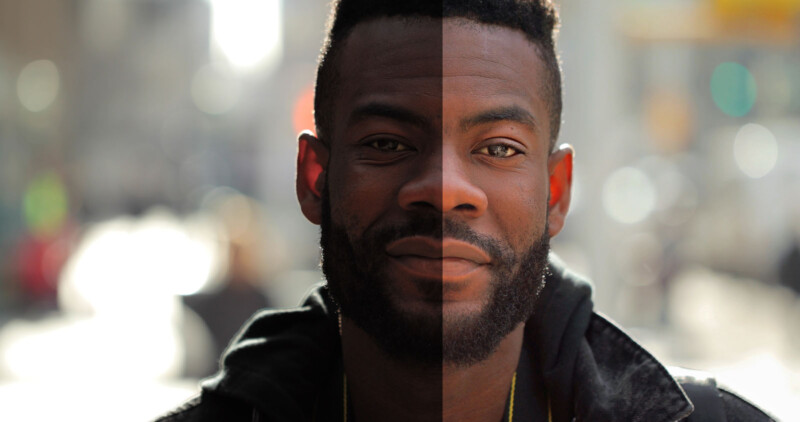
{"x": 312, "y": 161}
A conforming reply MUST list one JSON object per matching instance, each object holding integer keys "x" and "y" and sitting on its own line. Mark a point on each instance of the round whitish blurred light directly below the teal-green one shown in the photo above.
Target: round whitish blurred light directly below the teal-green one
{"x": 755, "y": 150}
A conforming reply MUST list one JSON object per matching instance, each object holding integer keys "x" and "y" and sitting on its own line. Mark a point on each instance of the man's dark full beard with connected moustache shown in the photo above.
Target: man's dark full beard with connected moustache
{"x": 355, "y": 269}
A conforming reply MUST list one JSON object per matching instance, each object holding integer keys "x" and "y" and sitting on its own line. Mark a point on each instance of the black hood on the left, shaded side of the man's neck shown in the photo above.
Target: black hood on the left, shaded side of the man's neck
{"x": 281, "y": 358}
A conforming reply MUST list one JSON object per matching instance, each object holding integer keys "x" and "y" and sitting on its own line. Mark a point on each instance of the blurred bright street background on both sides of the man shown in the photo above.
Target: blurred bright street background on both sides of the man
{"x": 147, "y": 201}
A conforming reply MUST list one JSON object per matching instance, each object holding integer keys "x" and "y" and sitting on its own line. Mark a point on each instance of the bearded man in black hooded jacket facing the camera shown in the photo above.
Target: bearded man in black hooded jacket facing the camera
{"x": 437, "y": 184}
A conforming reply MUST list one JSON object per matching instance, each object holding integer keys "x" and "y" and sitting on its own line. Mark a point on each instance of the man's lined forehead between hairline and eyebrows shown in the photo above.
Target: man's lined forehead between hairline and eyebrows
{"x": 438, "y": 62}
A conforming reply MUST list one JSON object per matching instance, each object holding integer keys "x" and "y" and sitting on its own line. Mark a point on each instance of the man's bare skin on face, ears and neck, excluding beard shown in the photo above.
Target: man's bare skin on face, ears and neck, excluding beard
{"x": 471, "y": 140}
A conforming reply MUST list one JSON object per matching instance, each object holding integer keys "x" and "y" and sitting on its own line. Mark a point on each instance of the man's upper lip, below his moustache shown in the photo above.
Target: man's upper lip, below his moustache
{"x": 445, "y": 250}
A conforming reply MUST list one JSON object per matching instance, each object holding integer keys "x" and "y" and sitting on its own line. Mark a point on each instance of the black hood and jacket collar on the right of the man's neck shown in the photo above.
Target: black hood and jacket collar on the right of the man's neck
{"x": 591, "y": 369}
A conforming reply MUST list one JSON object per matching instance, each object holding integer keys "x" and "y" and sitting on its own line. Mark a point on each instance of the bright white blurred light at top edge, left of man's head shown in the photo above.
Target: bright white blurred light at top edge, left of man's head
{"x": 248, "y": 32}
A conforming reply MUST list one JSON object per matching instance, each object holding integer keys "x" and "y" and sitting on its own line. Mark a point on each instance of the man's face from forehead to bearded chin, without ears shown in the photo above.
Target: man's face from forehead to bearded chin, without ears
{"x": 435, "y": 207}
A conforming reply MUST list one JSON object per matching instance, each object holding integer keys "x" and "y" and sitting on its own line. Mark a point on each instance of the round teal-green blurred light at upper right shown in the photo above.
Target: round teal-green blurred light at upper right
{"x": 733, "y": 89}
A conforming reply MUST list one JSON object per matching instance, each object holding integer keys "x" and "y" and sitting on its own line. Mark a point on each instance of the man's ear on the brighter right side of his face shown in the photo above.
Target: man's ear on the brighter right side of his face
{"x": 559, "y": 165}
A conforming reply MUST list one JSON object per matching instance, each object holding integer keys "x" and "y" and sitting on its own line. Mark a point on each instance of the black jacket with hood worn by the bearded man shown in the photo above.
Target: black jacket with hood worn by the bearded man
{"x": 284, "y": 364}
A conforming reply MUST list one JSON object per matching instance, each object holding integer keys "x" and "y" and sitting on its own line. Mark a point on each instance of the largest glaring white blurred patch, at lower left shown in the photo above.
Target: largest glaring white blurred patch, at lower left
{"x": 118, "y": 292}
